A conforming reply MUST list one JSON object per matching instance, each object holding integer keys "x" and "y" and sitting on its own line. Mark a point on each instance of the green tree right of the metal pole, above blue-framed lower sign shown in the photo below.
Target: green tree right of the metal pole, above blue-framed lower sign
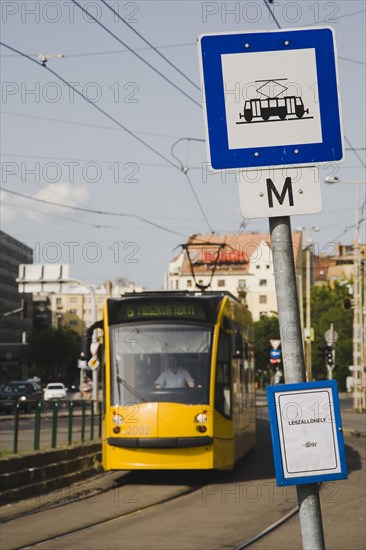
{"x": 327, "y": 308}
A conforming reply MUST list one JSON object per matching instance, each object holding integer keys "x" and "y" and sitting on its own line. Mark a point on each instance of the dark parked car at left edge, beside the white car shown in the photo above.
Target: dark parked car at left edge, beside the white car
{"x": 26, "y": 392}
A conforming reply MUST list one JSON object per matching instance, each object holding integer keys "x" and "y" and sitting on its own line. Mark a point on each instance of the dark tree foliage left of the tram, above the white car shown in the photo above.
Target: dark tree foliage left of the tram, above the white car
{"x": 53, "y": 354}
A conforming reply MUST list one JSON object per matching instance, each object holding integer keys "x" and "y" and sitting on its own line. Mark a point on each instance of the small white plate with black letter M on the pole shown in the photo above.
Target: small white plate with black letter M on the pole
{"x": 267, "y": 193}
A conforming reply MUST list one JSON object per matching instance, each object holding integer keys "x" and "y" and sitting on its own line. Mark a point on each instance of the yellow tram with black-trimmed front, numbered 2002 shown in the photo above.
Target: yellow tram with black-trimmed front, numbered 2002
{"x": 201, "y": 416}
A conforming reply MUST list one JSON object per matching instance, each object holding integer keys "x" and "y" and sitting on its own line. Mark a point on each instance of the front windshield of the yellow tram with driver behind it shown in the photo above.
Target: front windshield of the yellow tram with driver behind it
{"x": 160, "y": 362}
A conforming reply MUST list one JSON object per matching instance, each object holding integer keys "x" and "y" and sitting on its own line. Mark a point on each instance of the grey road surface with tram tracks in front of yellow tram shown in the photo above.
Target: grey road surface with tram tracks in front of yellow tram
{"x": 219, "y": 511}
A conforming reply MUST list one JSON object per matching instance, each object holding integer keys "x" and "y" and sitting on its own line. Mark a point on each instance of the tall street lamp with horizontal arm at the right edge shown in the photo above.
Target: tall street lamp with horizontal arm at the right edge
{"x": 359, "y": 397}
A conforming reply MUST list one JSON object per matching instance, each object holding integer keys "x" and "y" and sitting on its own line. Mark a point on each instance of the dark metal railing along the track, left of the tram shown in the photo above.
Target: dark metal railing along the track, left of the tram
{"x": 49, "y": 424}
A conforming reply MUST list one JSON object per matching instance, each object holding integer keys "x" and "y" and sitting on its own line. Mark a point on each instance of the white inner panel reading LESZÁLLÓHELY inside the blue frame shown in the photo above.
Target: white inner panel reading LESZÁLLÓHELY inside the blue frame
{"x": 307, "y": 433}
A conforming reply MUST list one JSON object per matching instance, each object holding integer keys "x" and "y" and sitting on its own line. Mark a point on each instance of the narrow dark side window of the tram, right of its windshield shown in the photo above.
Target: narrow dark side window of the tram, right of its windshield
{"x": 223, "y": 376}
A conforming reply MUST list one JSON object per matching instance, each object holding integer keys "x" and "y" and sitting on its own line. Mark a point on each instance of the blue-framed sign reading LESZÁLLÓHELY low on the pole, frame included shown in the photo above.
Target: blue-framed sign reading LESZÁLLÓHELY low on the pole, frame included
{"x": 306, "y": 430}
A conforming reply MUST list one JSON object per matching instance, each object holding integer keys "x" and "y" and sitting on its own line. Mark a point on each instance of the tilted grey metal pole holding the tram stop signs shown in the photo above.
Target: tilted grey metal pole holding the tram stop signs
{"x": 294, "y": 364}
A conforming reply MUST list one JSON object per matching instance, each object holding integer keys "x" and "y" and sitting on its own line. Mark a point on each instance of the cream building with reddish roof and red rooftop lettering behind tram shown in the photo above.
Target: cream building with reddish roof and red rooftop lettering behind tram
{"x": 240, "y": 263}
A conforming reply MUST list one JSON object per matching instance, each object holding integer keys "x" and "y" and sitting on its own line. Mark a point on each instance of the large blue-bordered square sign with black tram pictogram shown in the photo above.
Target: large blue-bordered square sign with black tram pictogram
{"x": 271, "y": 98}
